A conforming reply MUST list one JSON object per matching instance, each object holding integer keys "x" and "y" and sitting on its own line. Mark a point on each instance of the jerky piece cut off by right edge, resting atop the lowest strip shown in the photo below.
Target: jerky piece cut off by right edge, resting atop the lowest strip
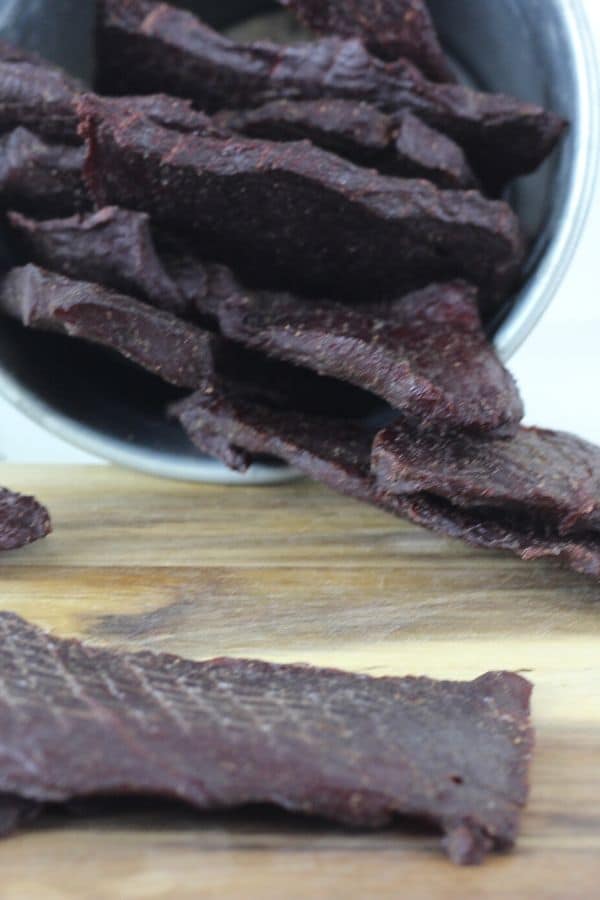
{"x": 545, "y": 476}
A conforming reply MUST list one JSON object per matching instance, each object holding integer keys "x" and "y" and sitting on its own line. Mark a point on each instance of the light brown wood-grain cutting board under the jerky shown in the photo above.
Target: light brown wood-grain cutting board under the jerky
{"x": 294, "y": 574}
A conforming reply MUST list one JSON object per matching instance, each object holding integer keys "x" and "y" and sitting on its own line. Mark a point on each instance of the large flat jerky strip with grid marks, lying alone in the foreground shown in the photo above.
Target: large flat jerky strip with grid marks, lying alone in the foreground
{"x": 223, "y": 733}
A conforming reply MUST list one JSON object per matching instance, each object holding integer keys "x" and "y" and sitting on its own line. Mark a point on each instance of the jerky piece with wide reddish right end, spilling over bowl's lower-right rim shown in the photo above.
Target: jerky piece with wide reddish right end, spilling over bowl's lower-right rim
{"x": 433, "y": 363}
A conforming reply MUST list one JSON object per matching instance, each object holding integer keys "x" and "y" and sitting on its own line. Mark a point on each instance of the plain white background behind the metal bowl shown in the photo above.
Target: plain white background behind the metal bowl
{"x": 558, "y": 367}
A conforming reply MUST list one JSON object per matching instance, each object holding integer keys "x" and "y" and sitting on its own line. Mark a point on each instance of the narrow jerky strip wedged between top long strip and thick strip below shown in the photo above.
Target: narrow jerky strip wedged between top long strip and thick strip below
{"x": 405, "y": 147}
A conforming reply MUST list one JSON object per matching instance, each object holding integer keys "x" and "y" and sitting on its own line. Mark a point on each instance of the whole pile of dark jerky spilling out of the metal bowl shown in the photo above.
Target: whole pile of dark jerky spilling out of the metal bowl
{"x": 307, "y": 238}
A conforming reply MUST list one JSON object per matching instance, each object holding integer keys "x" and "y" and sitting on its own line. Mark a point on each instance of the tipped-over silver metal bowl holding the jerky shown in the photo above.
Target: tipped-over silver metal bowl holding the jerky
{"x": 539, "y": 50}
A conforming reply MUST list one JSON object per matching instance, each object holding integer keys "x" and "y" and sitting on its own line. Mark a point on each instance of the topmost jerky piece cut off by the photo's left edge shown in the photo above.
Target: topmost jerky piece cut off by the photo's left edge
{"x": 37, "y": 95}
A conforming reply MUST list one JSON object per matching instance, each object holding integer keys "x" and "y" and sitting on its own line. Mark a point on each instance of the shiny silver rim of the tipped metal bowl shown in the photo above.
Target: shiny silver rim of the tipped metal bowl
{"x": 536, "y": 297}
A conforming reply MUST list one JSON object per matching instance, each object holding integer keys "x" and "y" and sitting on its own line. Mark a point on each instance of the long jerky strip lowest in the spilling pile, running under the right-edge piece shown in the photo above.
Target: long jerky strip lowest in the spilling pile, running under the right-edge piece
{"x": 226, "y": 422}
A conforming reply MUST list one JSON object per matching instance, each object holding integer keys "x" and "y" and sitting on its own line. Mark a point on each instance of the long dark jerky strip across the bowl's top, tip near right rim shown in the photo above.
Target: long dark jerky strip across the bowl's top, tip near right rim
{"x": 145, "y": 46}
